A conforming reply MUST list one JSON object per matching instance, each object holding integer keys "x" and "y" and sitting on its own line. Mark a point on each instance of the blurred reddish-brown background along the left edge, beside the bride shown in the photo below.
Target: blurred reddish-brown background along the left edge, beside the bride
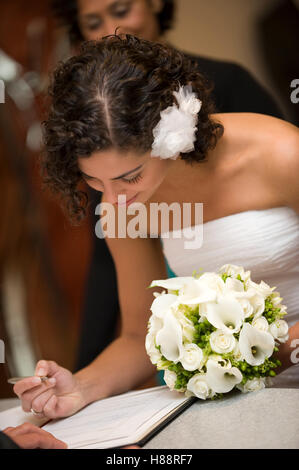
{"x": 43, "y": 259}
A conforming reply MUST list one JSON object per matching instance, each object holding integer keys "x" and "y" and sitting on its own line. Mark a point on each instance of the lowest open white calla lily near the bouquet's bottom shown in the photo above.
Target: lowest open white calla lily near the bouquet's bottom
{"x": 222, "y": 379}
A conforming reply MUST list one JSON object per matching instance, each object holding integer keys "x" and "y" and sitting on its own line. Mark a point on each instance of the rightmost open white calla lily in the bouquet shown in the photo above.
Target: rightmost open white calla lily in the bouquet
{"x": 255, "y": 345}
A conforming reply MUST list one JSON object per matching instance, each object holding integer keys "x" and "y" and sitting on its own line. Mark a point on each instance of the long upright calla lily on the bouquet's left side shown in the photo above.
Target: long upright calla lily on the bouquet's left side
{"x": 170, "y": 338}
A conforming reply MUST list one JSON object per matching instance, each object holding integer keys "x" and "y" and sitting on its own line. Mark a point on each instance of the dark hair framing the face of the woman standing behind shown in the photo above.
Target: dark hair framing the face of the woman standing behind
{"x": 66, "y": 11}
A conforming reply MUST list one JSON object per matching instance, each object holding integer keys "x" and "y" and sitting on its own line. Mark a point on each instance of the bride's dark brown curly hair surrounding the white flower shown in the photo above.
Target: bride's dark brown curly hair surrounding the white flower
{"x": 111, "y": 95}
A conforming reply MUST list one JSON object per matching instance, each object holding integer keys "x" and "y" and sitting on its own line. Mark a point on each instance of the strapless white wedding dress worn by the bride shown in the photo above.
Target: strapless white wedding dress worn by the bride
{"x": 266, "y": 242}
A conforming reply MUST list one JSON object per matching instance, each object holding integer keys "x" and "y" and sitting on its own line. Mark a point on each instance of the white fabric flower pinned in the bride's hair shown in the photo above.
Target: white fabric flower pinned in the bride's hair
{"x": 175, "y": 132}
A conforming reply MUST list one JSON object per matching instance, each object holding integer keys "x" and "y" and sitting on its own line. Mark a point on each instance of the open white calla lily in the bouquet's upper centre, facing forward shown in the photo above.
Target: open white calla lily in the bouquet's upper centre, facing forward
{"x": 226, "y": 315}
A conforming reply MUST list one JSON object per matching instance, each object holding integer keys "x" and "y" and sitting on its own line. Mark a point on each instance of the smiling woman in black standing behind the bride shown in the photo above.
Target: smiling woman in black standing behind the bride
{"x": 234, "y": 89}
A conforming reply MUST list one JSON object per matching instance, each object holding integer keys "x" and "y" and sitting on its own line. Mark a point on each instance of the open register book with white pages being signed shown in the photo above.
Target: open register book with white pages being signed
{"x": 130, "y": 418}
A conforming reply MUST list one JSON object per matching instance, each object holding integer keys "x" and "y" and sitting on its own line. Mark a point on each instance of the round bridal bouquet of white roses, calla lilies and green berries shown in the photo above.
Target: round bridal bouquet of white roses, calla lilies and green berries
{"x": 212, "y": 332}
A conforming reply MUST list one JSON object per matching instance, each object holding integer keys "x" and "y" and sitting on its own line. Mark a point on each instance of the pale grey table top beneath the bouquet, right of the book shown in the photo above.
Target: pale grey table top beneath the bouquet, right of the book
{"x": 268, "y": 419}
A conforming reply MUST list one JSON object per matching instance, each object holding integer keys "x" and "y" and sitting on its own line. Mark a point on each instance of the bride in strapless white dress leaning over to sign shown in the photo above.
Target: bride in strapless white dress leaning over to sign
{"x": 134, "y": 118}
